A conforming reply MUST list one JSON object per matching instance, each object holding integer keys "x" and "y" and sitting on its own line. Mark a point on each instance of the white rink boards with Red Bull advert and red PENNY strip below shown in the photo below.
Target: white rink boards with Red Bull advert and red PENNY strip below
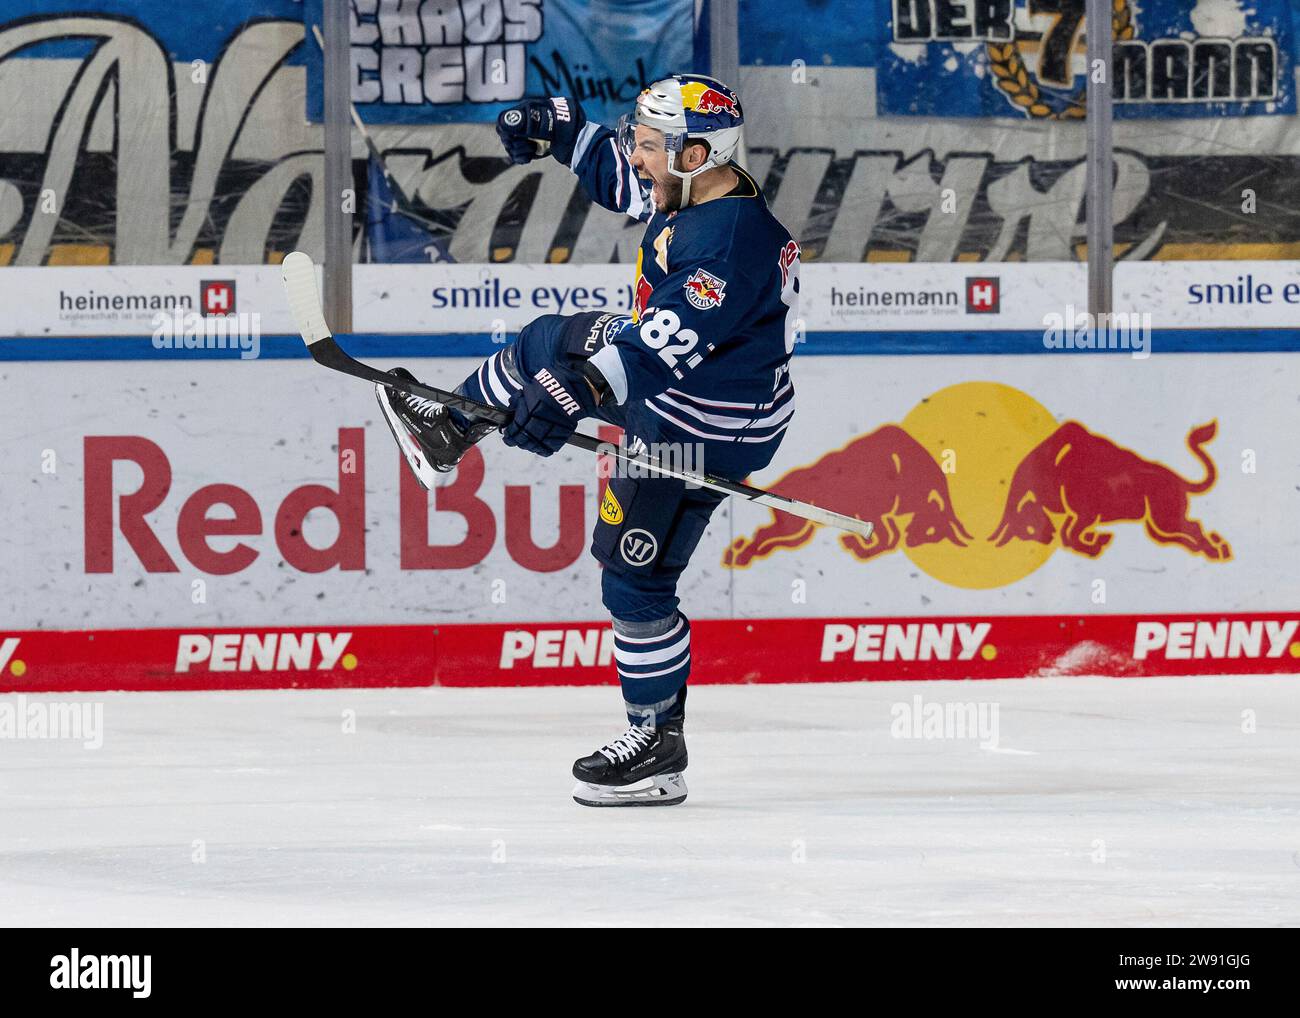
{"x": 226, "y": 525}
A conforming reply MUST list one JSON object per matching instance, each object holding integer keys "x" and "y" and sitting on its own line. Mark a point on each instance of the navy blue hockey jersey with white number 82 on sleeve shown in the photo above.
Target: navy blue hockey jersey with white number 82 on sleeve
{"x": 716, "y": 307}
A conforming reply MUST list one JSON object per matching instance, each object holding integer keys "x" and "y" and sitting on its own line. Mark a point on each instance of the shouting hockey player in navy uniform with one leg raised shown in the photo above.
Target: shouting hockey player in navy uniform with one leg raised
{"x": 704, "y": 361}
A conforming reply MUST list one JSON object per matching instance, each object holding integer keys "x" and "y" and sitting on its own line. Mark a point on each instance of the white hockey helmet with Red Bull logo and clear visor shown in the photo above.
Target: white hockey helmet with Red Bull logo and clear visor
{"x": 688, "y": 107}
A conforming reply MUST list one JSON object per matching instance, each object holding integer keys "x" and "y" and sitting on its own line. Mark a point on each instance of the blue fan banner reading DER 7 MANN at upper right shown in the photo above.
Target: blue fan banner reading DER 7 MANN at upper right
{"x": 1028, "y": 59}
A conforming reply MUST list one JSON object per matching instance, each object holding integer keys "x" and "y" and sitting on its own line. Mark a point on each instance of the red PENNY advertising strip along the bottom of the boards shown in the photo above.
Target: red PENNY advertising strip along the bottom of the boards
{"x": 725, "y": 651}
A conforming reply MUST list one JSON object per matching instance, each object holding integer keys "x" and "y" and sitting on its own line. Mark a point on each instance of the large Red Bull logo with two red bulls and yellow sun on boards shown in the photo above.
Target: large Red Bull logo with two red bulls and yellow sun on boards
{"x": 980, "y": 486}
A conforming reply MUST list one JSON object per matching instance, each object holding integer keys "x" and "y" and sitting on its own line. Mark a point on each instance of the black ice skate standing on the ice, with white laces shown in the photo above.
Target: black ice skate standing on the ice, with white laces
{"x": 642, "y": 768}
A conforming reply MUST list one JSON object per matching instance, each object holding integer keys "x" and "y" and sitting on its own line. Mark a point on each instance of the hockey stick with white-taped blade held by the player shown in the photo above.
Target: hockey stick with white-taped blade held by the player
{"x": 305, "y": 304}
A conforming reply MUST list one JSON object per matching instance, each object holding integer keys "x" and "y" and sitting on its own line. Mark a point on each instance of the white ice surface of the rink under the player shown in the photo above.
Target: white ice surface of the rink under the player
{"x": 1112, "y": 803}
